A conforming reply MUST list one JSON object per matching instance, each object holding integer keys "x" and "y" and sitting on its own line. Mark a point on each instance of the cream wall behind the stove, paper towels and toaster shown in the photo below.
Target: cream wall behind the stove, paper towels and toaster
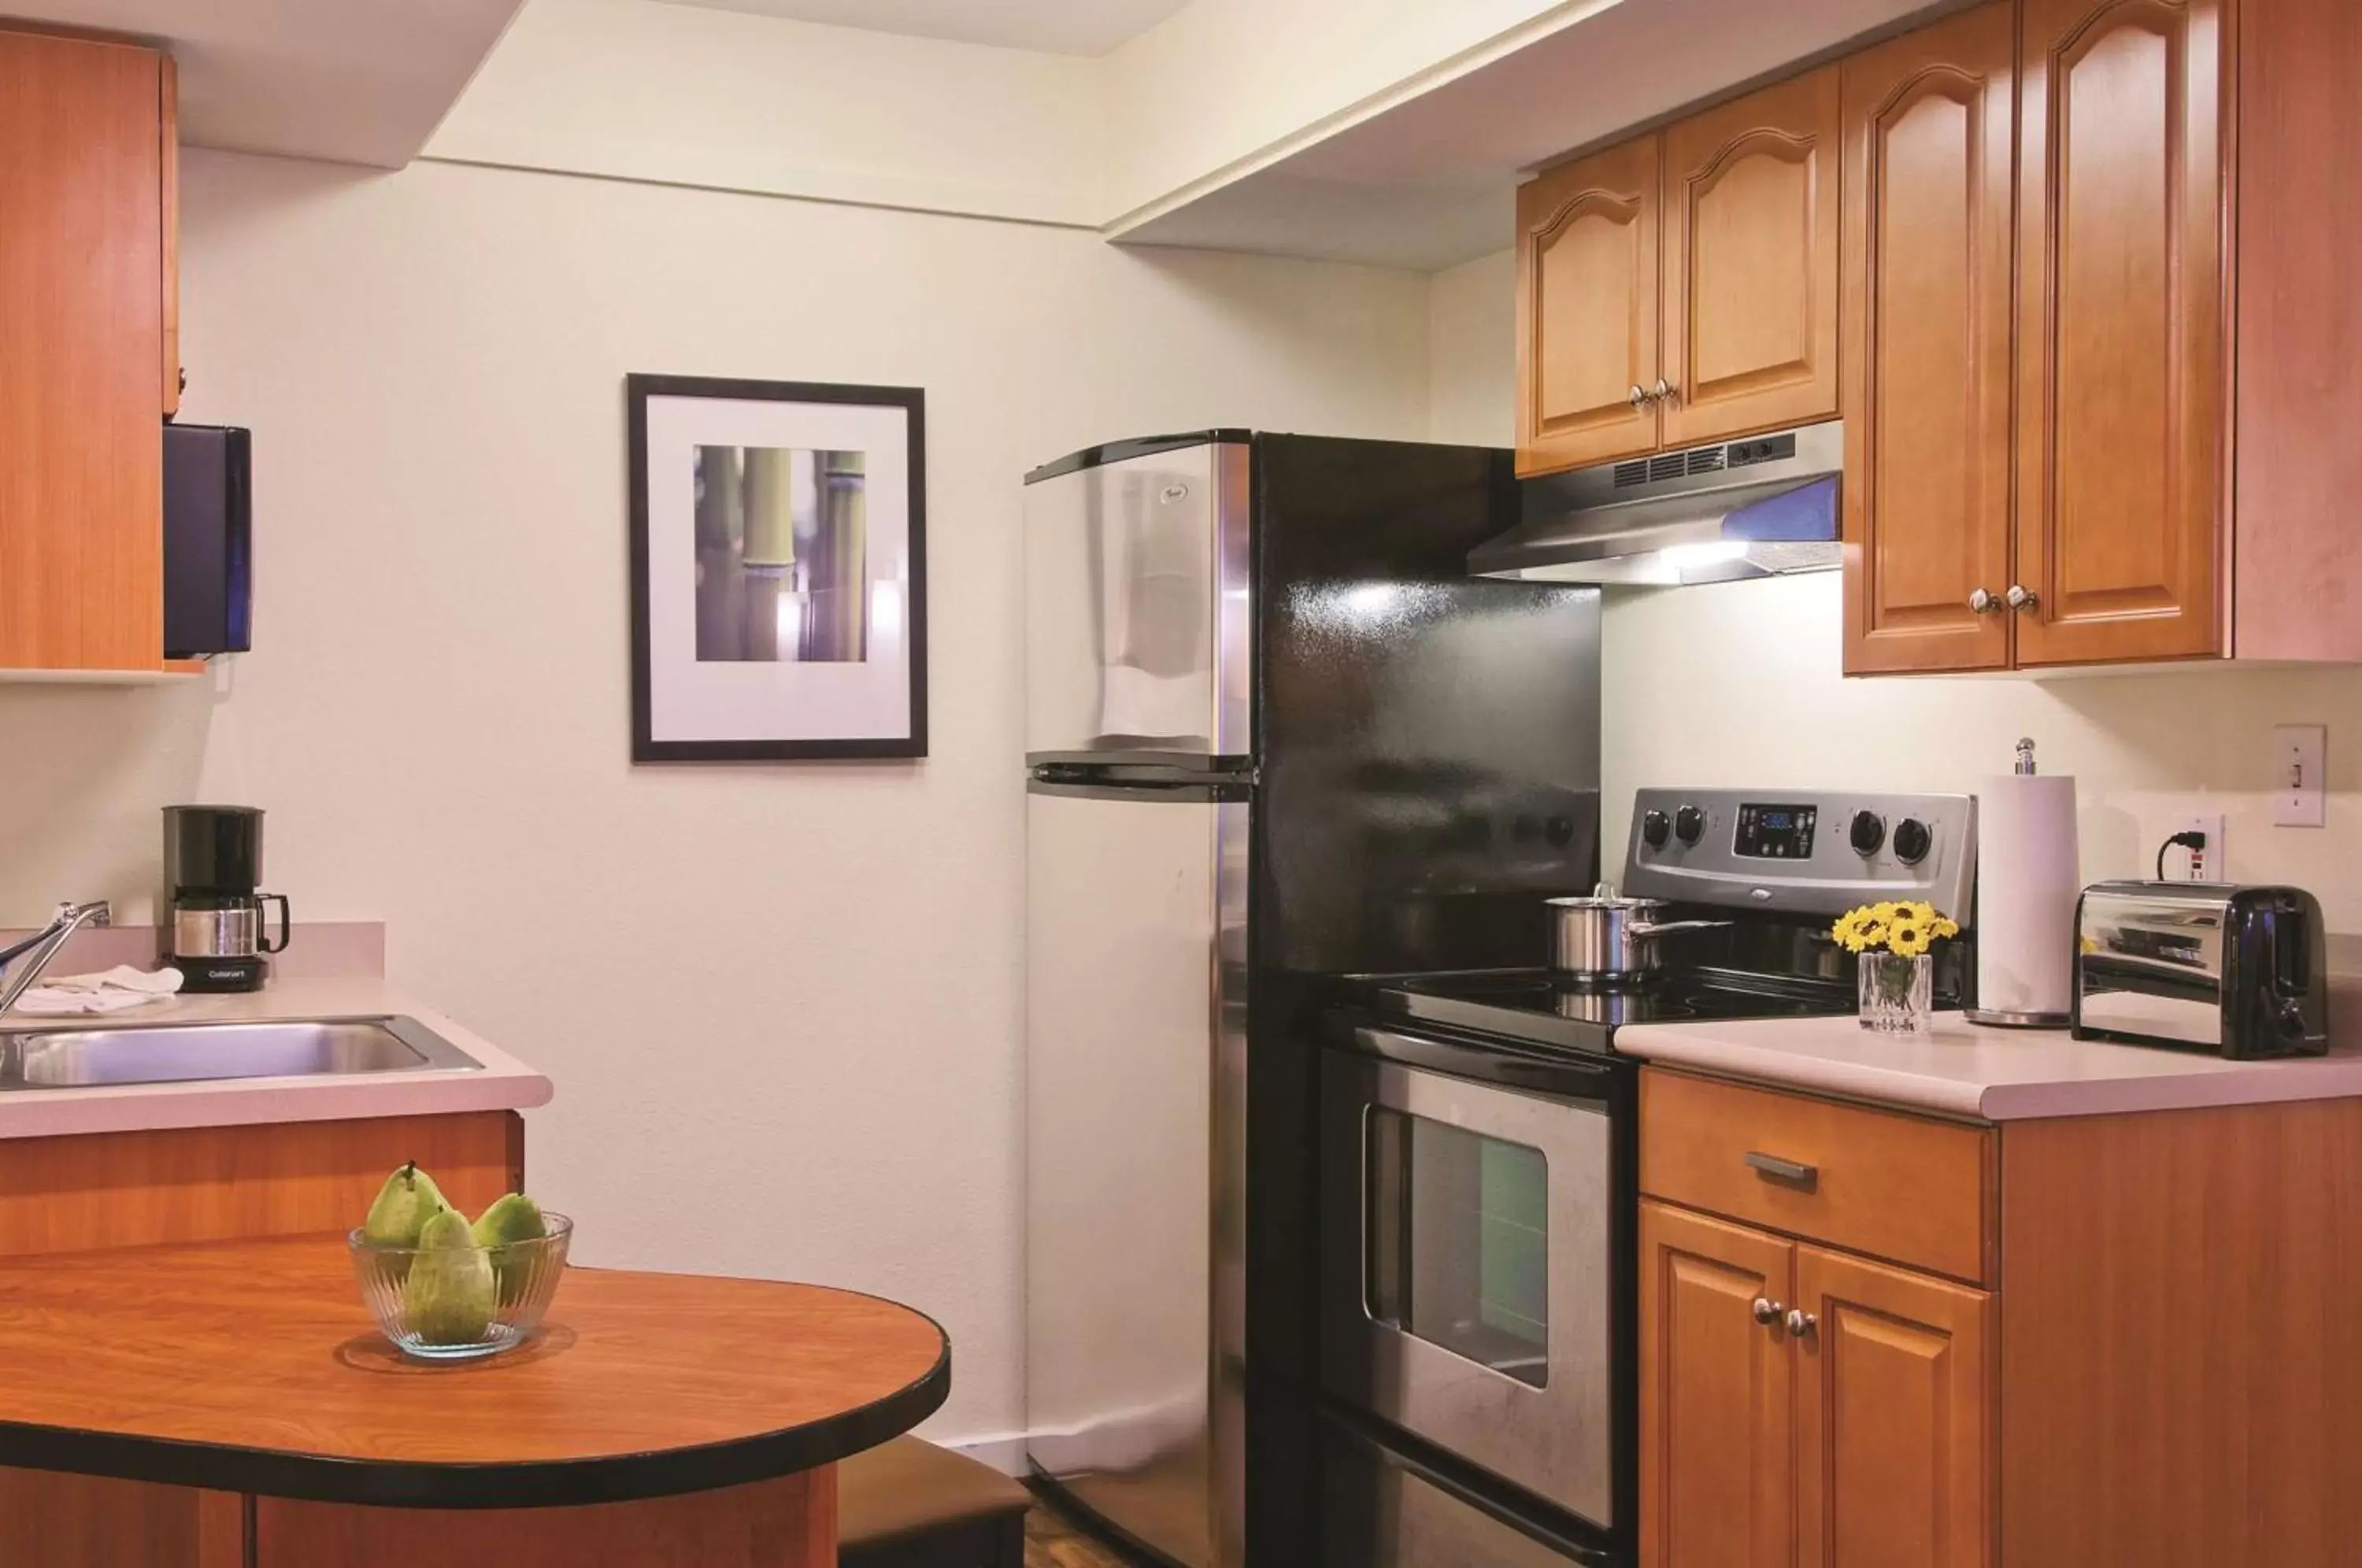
{"x": 1742, "y": 684}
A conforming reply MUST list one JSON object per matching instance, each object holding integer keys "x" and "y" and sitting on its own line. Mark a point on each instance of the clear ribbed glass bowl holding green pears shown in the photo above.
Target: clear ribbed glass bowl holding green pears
{"x": 462, "y": 1302}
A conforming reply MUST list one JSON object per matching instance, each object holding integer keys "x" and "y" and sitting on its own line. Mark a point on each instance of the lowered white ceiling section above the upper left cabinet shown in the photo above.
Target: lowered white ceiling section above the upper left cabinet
{"x": 355, "y": 81}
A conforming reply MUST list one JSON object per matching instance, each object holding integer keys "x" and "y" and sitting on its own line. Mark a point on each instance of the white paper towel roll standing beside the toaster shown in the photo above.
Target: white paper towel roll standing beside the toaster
{"x": 2028, "y": 882}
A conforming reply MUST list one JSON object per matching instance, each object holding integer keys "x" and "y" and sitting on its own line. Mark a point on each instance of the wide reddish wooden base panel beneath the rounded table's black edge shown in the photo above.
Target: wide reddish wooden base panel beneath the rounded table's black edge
{"x": 769, "y": 1524}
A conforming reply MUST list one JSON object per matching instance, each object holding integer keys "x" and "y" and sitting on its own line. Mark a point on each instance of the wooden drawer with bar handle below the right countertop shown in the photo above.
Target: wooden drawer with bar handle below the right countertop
{"x": 1872, "y": 1182}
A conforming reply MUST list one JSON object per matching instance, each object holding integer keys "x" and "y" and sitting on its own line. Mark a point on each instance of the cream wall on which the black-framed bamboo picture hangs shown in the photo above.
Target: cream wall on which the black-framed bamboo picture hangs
{"x": 781, "y": 1002}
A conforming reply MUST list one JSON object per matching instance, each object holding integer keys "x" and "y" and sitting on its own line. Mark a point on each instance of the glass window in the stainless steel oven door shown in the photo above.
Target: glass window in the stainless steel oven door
{"x": 1459, "y": 1241}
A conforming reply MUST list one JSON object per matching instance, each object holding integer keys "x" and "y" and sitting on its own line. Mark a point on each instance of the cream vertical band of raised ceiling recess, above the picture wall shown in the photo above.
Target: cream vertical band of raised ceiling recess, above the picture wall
{"x": 731, "y": 100}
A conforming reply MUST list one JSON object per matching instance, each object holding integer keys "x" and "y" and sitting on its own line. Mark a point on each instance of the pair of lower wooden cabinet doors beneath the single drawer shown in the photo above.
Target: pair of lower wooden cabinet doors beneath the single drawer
{"x": 1803, "y": 1406}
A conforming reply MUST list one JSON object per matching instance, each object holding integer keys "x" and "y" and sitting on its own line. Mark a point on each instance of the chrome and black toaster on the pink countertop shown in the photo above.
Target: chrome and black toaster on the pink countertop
{"x": 2212, "y": 967}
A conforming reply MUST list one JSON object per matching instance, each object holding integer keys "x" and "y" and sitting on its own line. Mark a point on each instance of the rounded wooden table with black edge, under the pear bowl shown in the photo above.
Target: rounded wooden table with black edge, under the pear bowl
{"x": 655, "y": 1418}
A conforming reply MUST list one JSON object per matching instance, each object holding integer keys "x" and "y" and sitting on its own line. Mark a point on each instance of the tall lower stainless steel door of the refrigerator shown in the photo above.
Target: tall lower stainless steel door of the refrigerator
{"x": 1135, "y": 1172}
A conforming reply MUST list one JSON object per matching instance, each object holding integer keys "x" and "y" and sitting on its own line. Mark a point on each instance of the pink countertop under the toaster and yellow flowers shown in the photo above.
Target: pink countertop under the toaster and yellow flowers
{"x": 1995, "y": 1076}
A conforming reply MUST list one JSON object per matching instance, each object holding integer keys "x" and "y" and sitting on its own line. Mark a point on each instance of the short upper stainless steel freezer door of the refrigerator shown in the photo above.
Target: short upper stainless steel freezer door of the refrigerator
{"x": 1137, "y": 608}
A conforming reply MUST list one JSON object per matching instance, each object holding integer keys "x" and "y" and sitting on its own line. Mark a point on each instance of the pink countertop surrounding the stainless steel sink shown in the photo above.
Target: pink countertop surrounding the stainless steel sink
{"x": 502, "y": 1085}
